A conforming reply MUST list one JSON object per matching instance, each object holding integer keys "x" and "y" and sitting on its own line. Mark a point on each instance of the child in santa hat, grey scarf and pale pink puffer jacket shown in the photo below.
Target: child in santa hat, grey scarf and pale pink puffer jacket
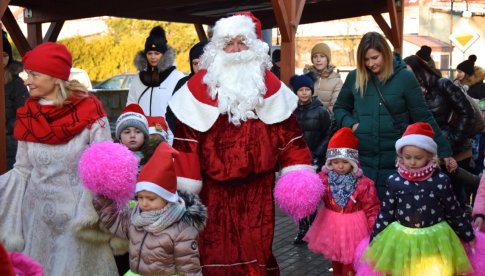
{"x": 164, "y": 225}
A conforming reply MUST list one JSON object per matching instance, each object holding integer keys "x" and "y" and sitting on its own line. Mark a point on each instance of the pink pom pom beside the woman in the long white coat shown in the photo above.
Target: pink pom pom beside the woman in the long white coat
{"x": 109, "y": 169}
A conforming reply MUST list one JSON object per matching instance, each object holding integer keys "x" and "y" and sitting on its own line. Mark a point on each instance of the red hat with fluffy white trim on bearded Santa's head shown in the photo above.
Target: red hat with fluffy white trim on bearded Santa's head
{"x": 240, "y": 24}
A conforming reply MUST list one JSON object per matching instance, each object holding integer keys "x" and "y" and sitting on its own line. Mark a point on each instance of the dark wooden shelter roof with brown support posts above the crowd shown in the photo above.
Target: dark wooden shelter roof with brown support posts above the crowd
{"x": 283, "y": 14}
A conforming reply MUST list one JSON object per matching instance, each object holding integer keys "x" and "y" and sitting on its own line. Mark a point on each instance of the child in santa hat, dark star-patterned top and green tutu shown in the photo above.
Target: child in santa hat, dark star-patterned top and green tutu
{"x": 412, "y": 233}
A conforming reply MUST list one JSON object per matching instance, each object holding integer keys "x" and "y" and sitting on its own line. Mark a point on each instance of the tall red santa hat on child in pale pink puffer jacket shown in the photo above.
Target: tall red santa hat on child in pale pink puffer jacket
{"x": 158, "y": 174}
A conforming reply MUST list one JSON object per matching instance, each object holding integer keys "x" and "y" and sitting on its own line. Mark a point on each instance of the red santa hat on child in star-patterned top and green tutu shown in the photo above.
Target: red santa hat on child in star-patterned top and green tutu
{"x": 420, "y": 135}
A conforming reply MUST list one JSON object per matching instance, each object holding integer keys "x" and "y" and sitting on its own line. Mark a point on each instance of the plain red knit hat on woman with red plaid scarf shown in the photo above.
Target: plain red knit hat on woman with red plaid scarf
{"x": 49, "y": 58}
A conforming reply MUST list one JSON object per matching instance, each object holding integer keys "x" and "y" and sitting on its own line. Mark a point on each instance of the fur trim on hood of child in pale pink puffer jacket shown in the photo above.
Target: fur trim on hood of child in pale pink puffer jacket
{"x": 196, "y": 214}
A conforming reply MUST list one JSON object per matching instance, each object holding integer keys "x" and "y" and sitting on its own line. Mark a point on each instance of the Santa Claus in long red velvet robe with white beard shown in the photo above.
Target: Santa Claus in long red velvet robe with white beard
{"x": 236, "y": 124}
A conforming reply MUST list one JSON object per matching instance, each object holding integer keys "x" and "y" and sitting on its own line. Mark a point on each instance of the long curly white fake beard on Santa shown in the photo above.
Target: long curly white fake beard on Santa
{"x": 237, "y": 80}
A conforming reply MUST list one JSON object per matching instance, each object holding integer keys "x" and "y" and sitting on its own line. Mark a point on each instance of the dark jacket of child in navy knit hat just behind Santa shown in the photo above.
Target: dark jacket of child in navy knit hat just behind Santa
{"x": 314, "y": 121}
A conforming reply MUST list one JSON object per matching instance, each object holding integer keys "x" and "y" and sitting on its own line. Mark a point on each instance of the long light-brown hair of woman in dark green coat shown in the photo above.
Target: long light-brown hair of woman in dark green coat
{"x": 376, "y": 41}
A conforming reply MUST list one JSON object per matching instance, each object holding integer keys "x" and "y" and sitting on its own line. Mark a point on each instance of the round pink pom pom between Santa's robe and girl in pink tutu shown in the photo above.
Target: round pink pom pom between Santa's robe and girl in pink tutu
{"x": 298, "y": 193}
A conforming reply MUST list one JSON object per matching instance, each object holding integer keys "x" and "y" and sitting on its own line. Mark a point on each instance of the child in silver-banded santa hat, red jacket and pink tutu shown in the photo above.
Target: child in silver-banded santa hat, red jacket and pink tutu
{"x": 350, "y": 204}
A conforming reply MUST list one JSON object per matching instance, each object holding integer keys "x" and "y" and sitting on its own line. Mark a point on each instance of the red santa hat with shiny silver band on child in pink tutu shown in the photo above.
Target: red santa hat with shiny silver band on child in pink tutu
{"x": 343, "y": 145}
